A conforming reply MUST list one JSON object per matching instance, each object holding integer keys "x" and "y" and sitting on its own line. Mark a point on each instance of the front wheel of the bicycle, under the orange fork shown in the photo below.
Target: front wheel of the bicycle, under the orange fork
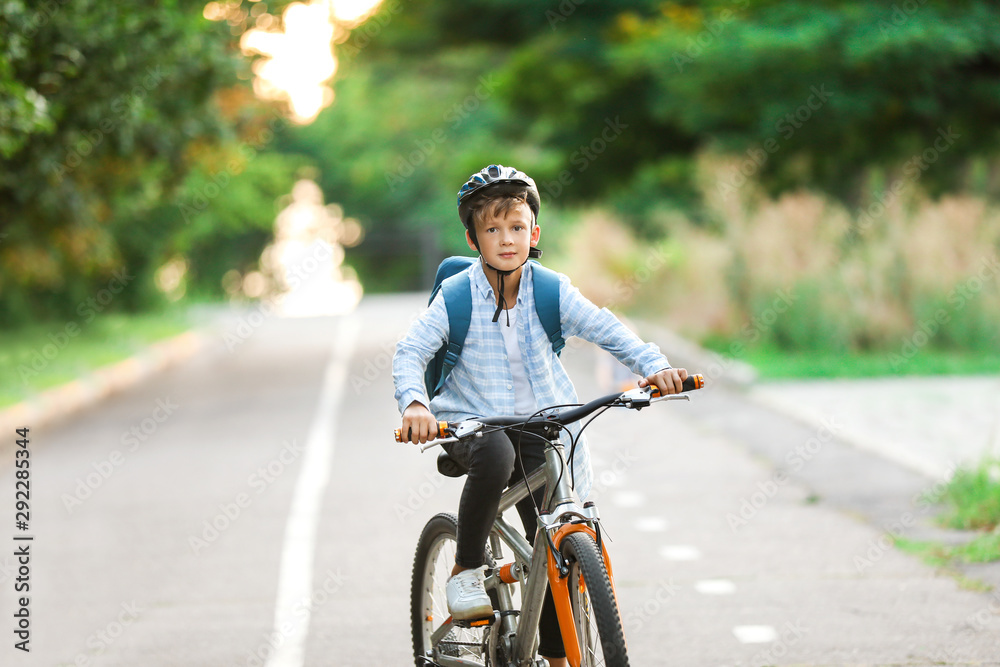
{"x": 595, "y": 610}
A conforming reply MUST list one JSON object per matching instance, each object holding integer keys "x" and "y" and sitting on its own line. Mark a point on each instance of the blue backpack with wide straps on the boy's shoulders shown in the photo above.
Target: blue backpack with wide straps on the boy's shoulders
{"x": 453, "y": 280}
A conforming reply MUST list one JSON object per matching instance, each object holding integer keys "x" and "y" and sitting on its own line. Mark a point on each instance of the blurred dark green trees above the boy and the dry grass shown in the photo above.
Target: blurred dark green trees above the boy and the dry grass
{"x": 611, "y": 103}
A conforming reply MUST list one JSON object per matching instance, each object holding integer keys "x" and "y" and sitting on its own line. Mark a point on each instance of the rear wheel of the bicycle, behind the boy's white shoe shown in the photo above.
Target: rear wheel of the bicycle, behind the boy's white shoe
{"x": 432, "y": 564}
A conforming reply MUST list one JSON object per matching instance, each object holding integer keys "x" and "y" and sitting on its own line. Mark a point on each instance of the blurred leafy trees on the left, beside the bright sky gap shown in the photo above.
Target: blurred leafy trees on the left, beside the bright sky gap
{"x": 110, "y": 113}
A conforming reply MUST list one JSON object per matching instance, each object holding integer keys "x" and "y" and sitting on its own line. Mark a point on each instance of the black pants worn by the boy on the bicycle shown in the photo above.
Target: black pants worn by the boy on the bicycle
{"x": 494, "y": 463}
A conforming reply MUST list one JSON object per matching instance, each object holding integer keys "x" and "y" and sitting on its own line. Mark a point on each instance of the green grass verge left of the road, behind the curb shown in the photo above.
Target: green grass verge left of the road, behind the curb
{"x": 40, "y": 356}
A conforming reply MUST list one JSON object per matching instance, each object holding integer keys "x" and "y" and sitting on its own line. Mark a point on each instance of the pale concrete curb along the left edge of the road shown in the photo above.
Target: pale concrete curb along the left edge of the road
{"x": 57, "y": 403}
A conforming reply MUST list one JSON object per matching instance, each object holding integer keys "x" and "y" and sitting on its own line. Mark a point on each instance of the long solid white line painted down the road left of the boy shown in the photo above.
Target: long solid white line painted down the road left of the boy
{"x": 294, "y": 599}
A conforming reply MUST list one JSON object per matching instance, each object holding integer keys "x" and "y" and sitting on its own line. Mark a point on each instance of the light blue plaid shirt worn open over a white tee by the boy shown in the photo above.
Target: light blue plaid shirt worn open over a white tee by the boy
{"x": 481, "y": 384}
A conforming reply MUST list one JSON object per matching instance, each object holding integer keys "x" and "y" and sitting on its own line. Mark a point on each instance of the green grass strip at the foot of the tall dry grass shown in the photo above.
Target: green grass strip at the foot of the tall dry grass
{"x": 774, "y": 364}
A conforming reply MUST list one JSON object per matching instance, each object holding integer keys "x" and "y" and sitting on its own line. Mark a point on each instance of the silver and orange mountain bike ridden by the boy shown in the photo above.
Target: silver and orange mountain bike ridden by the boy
{"x": 572, "y": 558}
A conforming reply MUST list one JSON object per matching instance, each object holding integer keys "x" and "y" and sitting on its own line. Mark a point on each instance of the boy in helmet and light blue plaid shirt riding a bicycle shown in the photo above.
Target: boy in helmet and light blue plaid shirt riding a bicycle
{"x": 507, "y": 367}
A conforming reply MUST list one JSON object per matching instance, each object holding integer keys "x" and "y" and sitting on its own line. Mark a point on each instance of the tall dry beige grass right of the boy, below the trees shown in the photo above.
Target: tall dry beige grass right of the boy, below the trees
{"x": 802, "y": 272}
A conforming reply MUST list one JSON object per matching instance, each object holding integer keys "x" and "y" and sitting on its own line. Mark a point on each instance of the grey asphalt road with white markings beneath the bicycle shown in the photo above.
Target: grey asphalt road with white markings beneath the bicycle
{"x": 202, "y": 517}
